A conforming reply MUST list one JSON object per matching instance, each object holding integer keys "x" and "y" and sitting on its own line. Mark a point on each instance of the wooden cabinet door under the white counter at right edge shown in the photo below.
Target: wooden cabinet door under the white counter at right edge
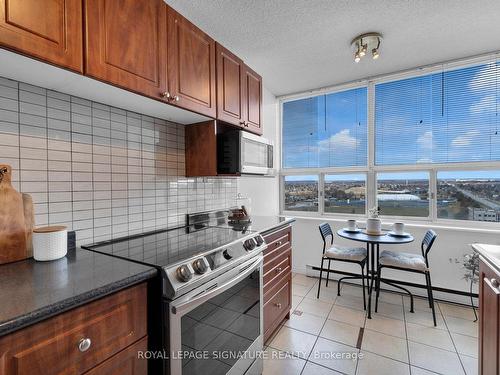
{"x": 489, "y": 307}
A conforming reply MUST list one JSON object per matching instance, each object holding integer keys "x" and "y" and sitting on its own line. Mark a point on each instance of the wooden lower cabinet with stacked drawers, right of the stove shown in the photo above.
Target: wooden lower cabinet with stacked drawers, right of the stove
{"x": 277, "y": 279}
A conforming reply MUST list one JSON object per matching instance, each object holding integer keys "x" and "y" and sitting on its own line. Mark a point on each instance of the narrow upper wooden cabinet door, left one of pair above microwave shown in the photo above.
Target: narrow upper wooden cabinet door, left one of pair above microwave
{"x": 230, "y": 75}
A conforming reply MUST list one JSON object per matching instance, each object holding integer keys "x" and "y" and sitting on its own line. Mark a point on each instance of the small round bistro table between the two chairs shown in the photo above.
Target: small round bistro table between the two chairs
{"x": 373, "y": 243}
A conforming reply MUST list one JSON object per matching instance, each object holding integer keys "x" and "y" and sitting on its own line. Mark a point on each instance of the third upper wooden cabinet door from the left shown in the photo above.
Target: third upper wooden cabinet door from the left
{"x": 191, "y": 66}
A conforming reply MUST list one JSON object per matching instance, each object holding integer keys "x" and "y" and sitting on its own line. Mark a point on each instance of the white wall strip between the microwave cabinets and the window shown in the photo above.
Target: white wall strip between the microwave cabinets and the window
{"x": 264, "y": 191}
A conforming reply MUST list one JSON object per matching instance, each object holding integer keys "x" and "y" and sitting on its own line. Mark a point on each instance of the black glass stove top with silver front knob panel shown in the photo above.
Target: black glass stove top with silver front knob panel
{"x": 186, "y": 256}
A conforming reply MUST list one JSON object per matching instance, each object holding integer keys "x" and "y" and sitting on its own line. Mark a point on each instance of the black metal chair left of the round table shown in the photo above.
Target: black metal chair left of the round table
{"x": 338, "y": 253}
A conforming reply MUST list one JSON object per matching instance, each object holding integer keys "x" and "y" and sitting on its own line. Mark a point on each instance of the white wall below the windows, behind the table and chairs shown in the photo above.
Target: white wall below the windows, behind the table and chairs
{"x": 450, "y": 246}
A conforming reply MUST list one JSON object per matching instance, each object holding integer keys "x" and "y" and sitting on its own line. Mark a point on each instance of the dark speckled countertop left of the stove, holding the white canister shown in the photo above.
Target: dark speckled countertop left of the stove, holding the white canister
{"x": 32, "y": 291}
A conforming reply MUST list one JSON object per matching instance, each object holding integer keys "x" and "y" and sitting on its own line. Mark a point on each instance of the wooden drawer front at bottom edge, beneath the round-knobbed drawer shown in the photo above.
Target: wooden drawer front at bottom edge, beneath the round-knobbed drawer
{"x": 125, "y": 362}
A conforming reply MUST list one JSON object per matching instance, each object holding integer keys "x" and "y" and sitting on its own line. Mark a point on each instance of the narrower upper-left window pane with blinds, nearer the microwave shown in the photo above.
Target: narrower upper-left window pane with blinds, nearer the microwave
{"x": 326, "y": 131}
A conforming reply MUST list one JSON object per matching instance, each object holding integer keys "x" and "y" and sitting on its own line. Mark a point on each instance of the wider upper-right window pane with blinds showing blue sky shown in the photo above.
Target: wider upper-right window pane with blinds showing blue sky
{"x": 445, "y": 117}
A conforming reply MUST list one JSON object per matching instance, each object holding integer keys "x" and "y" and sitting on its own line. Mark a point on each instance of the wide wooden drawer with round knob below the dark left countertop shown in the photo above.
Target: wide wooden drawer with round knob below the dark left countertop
{"x": 54, "y": 346}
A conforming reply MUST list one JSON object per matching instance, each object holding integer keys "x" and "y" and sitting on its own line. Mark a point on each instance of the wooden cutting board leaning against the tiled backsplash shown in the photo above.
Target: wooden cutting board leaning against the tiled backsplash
{"x": 16, "y": 220}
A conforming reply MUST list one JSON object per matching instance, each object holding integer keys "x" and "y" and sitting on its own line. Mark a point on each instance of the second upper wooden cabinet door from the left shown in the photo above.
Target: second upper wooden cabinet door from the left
{"x": 126, "y": 42}
